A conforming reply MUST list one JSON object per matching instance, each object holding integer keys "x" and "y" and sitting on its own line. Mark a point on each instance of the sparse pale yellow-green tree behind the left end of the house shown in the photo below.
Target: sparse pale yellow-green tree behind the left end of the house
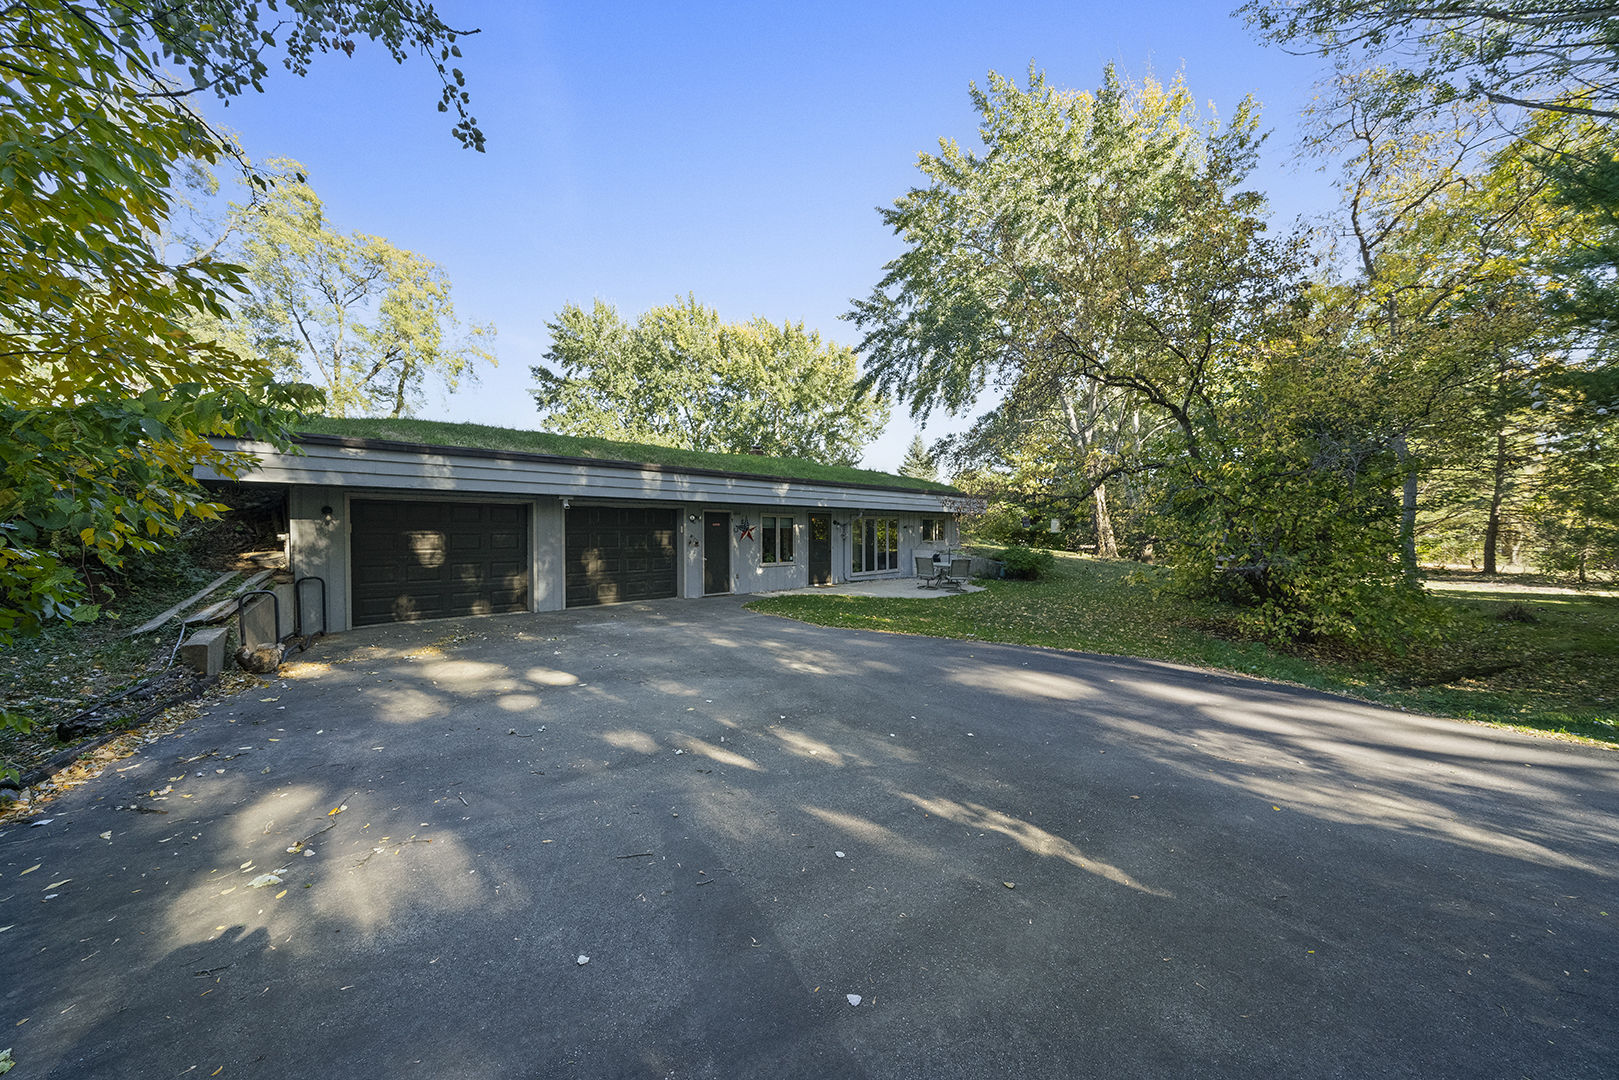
{"x": 363, "y": 320}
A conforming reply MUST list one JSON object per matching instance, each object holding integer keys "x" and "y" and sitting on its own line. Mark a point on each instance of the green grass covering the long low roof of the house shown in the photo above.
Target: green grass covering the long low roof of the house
{"x": 511, "y": 440}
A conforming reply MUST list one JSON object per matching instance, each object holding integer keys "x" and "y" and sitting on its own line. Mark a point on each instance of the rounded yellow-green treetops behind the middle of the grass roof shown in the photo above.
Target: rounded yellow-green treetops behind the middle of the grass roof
{"x": 681, "y": 378}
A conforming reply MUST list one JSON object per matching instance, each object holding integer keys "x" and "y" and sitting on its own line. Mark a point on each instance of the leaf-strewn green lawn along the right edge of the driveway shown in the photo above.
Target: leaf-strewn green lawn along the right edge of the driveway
{"x": 1552, "y": 665}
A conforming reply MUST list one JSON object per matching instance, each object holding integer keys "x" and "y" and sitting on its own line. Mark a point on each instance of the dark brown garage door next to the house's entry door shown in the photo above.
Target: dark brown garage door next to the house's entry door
{"x": 619, "y": 555}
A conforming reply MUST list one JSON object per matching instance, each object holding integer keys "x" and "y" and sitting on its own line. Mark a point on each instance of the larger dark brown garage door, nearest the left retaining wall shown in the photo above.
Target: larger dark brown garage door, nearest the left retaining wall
{"x": 438, "y": 559}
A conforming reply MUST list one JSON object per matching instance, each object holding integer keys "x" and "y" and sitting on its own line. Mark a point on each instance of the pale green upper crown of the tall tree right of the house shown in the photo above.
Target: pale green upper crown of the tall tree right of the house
{"x": 1063, "y": 250}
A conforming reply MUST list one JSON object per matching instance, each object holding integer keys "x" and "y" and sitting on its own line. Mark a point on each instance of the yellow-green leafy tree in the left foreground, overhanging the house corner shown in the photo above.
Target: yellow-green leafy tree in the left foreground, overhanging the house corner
{"x": 108, "y": 398}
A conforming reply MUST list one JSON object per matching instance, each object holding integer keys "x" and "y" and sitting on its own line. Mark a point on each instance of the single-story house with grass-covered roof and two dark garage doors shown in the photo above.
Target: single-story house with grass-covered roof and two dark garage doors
{"x": 459, "y": 521}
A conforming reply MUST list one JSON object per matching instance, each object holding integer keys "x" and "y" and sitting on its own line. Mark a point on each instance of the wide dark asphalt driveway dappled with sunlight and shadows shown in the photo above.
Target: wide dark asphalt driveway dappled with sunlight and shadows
{"x": 1024, "y": 864}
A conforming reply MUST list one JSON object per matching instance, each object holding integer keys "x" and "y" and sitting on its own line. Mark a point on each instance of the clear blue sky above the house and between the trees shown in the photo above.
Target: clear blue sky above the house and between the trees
{"x": 640, "y": 153}
